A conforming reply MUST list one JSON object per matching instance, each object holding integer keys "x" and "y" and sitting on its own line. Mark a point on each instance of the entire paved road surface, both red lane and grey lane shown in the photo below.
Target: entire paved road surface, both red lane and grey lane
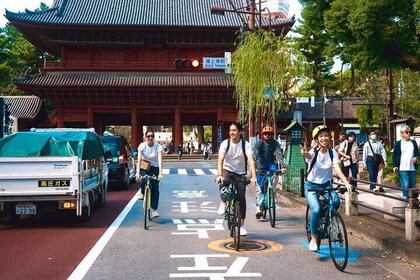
{"x": 182, "y": 242}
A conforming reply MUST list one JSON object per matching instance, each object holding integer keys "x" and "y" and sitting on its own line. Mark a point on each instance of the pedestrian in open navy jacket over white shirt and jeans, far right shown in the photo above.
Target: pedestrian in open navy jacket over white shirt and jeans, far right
{"x": 404, "y": 160}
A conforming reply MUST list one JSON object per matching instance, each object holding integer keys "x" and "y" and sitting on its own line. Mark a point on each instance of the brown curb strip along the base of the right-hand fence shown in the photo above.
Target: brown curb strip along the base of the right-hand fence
{"x": 364, "y": 226}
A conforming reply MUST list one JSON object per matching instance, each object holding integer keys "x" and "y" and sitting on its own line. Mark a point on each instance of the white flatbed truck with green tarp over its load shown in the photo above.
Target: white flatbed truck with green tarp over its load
{"x": 44, "y": 171}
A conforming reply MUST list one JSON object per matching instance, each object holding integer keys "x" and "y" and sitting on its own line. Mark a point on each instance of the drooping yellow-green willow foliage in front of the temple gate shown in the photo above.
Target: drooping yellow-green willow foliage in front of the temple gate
{"x": 265, "y": 68}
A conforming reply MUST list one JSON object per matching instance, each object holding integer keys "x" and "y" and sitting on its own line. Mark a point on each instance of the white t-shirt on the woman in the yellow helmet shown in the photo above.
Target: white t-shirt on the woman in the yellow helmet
{"x": 322, "y": 170}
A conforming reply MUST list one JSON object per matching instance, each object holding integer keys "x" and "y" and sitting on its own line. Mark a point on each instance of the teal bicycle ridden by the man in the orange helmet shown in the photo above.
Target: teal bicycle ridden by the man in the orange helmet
{"x": 269, "y": 200}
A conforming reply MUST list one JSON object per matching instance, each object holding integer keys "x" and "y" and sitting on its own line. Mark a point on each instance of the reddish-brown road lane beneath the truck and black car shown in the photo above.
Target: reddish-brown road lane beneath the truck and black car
{"x": 46, "y": 249}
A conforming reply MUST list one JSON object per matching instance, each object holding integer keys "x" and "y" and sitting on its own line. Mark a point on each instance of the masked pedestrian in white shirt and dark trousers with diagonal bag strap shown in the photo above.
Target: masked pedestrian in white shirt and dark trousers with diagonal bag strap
{"x": 374, "y": 158}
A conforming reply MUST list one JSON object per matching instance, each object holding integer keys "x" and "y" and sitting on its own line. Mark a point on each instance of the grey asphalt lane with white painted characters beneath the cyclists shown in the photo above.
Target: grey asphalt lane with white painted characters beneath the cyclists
{"x": 180, "y": 243}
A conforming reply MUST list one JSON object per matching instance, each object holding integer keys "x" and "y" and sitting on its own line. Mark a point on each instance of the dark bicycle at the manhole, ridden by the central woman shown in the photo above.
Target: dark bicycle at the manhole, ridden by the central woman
{"x": 233, "y": 210}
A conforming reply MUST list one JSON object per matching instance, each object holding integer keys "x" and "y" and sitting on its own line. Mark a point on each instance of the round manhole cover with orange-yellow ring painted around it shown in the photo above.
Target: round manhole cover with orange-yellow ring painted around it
{"x": 247, "y": 246}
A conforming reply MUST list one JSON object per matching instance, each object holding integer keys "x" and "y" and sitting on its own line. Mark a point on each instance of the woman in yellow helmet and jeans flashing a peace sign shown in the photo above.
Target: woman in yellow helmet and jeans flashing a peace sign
{"x": 320, "y": 173}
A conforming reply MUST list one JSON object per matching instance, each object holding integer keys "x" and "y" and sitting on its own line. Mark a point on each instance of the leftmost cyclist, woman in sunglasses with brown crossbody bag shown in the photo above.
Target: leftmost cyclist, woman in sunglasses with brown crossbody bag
{"x": 149, "y": 162}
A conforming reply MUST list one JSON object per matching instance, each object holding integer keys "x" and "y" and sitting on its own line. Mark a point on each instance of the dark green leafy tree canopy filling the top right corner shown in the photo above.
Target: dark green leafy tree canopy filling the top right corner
{"x": 376, "y": 34}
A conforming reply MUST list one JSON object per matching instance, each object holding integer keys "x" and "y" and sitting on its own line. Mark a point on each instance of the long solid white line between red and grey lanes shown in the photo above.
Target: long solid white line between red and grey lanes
{"x": 90, "y": 258}
